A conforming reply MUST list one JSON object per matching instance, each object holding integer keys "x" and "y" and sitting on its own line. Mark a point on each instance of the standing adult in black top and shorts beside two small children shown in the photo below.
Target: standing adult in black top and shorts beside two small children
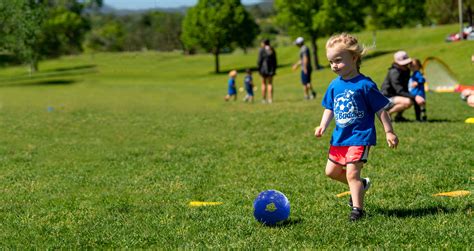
{"x": 267, "y": 65}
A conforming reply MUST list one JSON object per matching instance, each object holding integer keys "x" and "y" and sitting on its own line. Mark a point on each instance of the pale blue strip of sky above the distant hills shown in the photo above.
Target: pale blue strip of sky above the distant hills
{"x": 146, "y": 4}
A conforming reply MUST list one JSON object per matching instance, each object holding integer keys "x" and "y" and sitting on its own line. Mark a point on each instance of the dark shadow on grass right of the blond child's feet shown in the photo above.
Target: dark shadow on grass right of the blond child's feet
{"x": 420, "y": 212}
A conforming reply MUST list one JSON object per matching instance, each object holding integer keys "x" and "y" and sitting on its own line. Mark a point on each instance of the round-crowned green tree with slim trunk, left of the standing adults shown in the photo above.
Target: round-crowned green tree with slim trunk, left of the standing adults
{"x": 215, "y": 24}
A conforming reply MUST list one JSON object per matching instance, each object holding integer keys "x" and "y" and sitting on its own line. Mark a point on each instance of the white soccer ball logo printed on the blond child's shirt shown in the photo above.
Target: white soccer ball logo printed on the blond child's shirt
{"x": 345, "y": 109}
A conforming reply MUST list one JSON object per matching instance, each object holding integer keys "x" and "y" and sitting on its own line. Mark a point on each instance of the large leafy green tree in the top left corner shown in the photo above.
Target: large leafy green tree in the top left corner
{"x": 33, "y": 29}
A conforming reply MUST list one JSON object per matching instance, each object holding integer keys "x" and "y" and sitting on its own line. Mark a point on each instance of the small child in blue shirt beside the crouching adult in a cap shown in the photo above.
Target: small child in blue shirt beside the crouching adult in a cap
{"x": 416, "y": 87}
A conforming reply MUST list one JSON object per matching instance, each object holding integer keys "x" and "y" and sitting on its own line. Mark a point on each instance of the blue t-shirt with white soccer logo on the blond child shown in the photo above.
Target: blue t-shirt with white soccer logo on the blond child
{"x": 354, "y": 103}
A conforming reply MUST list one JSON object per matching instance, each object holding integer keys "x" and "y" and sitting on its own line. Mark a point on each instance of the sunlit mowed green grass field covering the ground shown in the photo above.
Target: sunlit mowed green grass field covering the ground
{"x": 107, "y": 150}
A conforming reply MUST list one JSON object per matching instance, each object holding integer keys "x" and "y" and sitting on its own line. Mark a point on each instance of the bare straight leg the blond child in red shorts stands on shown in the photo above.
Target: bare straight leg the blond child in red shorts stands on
{"x": 355, "y": 184}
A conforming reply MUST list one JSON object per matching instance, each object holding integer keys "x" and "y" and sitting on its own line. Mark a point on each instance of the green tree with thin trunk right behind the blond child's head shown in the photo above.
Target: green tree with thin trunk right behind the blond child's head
{"x": 316, "y": 18}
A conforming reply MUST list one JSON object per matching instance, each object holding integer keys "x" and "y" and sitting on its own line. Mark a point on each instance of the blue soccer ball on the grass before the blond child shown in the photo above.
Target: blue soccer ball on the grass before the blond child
{"x": 271, "y": 207}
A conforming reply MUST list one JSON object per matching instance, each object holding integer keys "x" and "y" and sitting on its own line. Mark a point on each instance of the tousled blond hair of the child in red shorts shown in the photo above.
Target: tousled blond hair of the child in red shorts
{"x": 350, "y": 43}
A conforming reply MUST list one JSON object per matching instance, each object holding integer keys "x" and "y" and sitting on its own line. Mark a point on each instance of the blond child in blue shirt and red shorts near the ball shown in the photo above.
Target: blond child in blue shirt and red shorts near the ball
{"x": 353, "y": 100}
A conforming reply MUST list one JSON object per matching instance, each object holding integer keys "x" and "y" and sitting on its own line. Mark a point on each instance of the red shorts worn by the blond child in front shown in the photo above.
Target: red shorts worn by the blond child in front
{"x": 343, "y": 155}
